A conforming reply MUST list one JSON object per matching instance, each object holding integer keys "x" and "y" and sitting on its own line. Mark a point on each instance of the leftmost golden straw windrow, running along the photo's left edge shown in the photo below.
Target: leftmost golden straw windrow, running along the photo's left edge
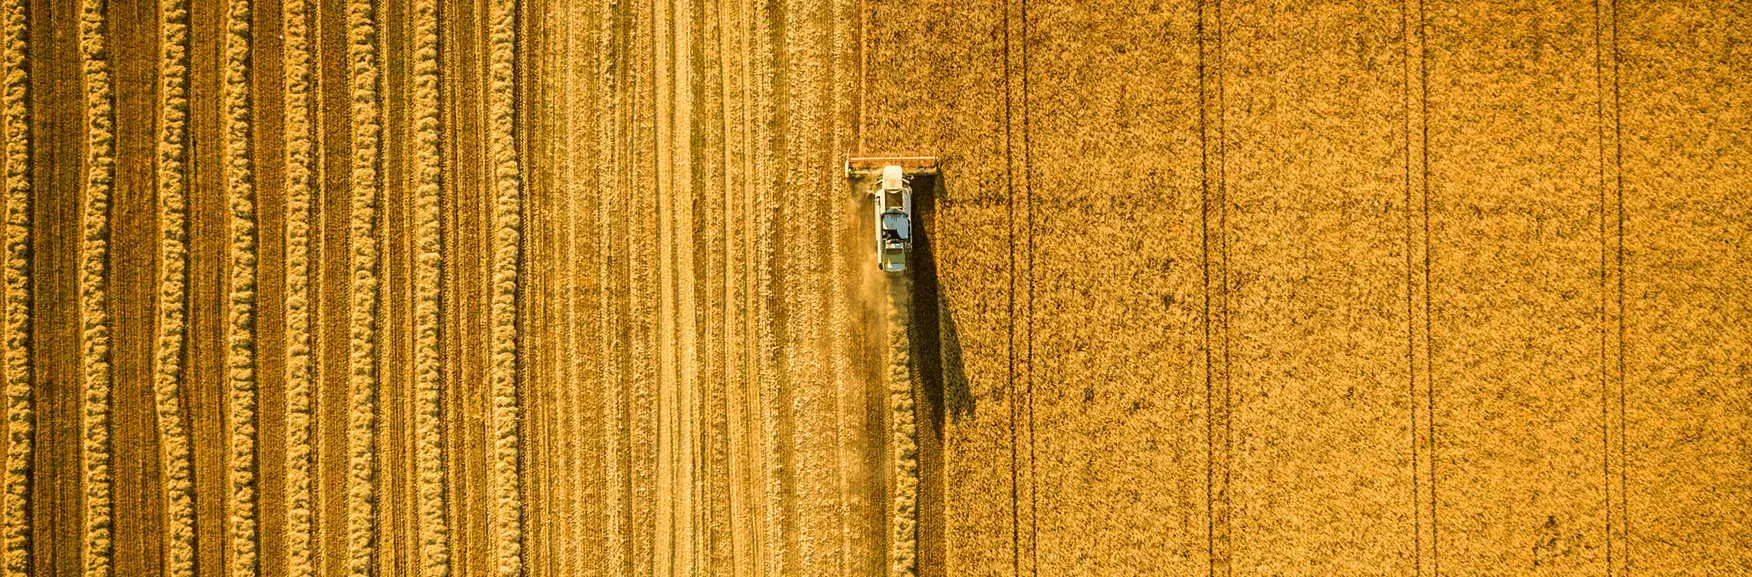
{"x": 20, "y": 395}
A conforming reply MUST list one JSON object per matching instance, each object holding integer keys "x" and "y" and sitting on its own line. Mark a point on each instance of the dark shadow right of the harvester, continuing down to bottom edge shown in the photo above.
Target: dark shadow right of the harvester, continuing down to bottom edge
{"x": 940, "y": 376}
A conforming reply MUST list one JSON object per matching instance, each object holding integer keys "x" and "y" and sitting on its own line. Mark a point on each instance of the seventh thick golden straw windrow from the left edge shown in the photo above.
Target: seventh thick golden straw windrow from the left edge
{"x": 428, "y": 274}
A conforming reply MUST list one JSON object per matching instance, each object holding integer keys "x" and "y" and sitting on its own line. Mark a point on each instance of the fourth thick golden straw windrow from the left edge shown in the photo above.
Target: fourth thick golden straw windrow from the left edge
{"x": 241, "y": 299}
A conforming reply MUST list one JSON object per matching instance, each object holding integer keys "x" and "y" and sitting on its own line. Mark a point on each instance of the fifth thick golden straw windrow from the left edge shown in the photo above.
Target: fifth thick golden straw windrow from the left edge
{"x": 300, "y": 364}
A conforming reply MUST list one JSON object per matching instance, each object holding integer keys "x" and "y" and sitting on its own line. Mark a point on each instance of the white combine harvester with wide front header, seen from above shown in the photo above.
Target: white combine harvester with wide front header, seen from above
{"x": 889, "y": 185}
